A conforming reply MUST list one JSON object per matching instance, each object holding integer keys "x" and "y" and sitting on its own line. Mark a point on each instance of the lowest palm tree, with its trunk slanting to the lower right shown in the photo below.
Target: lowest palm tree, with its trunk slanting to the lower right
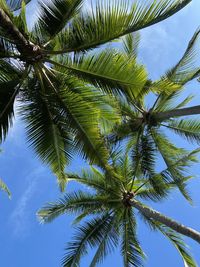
{"x": 109, "y": 208}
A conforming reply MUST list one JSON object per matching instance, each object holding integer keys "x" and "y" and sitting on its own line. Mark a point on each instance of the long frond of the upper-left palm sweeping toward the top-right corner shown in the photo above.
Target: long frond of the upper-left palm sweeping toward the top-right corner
{"x": 107, "y": 22}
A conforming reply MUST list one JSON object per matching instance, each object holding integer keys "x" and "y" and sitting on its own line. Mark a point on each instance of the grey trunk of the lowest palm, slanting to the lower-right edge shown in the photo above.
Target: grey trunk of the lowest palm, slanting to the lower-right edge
{"x": 157, "y": 216}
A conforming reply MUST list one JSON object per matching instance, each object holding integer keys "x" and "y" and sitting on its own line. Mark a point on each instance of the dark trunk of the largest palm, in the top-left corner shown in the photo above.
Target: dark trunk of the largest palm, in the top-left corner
{"x": 13, "y": 32}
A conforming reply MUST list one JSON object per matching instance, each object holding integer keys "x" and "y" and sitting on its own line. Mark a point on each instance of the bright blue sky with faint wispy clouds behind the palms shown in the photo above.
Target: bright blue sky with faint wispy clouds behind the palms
{"x": 25, "y": 242}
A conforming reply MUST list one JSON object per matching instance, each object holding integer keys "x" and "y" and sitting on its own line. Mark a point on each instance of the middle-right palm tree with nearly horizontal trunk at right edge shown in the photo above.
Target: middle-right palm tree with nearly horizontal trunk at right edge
{"x": 144, "y": 128}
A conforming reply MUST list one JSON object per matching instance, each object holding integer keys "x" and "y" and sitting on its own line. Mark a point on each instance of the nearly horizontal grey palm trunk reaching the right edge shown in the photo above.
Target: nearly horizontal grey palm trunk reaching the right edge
{"x": 178, "y": 113}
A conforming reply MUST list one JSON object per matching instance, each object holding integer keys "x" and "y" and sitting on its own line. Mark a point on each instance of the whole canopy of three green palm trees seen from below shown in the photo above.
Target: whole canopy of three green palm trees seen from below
{"x": 80, "y": 89}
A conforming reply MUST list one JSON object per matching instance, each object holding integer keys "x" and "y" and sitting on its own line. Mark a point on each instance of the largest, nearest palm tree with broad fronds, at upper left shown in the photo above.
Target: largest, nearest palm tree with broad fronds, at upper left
{"x": 41, "y": 68}
